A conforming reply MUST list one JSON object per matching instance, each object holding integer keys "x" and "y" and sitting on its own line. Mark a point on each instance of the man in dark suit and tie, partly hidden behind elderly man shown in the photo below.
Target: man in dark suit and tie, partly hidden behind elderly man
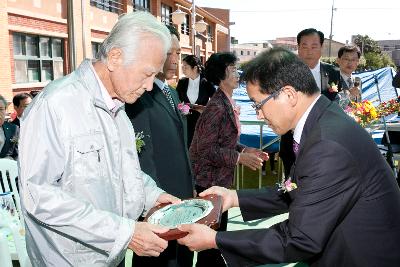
{"x": 164, "y": 156}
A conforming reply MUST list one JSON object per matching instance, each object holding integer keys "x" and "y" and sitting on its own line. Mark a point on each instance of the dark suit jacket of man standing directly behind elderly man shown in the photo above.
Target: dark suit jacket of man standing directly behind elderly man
{"x": 164, "y": 156}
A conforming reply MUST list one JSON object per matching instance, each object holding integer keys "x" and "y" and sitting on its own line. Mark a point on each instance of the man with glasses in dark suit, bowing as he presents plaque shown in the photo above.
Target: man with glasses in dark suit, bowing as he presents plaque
{"x": 343, "y": 211}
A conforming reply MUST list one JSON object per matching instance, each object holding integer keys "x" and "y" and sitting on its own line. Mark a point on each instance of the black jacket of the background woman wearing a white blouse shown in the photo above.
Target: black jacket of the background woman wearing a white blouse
{"x": 206, "y": 91}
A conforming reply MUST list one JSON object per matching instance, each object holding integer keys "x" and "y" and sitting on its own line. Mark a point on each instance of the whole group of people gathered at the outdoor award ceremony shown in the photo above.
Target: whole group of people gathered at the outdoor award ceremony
{"x": 85, "y": 188}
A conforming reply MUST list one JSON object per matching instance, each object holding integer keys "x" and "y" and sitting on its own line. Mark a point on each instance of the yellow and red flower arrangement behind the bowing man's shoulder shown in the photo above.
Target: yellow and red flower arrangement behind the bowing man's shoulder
{"x": 363, "y": 113}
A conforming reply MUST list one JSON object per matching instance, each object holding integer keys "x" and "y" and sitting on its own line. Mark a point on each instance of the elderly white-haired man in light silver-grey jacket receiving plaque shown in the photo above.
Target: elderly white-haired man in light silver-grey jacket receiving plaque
{"x": 81, "y": 183}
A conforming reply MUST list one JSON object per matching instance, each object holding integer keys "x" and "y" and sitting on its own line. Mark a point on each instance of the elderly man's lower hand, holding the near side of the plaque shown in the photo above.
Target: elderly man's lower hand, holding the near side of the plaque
{"x": 146, "y": 242}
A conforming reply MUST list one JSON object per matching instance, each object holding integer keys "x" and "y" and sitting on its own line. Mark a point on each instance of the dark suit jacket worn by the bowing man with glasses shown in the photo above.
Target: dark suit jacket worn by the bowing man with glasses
{"x": 345, "y": 211}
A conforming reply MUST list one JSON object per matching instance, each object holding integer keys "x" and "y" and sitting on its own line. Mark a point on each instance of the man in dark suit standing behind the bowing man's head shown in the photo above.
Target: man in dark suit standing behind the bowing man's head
{"x": 327, "y": 77}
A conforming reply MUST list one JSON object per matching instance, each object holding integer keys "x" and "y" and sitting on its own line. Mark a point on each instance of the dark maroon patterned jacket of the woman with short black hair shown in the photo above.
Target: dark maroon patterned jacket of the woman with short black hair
{"x": 215, "y": 150}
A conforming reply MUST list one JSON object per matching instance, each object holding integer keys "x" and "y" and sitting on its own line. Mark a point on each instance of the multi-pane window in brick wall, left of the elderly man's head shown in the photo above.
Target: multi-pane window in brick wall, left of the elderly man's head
{"x": 37, "y": 58}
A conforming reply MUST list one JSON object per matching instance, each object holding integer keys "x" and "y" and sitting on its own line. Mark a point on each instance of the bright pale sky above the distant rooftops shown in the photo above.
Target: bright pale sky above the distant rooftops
{"x": 379, "y": 19}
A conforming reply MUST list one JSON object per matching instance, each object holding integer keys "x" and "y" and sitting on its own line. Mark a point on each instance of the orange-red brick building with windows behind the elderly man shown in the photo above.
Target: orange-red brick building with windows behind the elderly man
{"x": 42, "y": 40}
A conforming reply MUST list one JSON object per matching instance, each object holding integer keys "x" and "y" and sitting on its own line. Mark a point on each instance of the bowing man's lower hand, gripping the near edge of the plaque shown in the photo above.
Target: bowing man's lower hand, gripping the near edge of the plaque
{"x": 200, "y": 237}
